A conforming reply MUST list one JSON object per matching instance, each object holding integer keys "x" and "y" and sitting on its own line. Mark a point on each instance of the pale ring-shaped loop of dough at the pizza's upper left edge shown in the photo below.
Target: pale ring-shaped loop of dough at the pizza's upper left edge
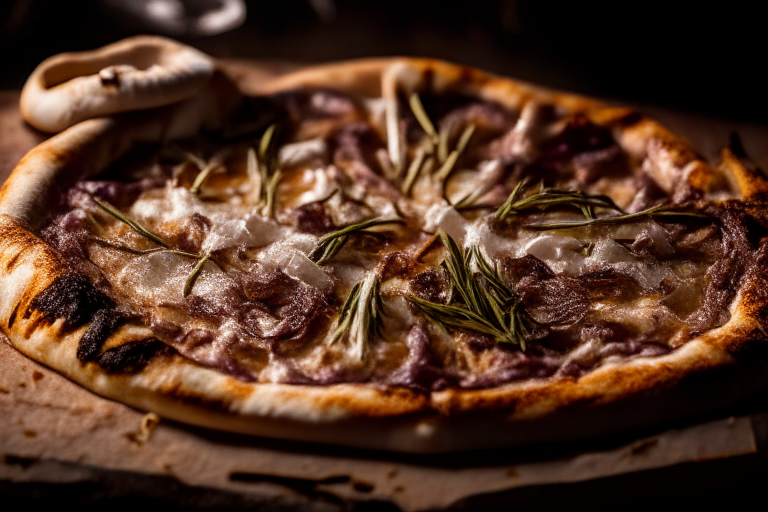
{"x": 134, "y": 74}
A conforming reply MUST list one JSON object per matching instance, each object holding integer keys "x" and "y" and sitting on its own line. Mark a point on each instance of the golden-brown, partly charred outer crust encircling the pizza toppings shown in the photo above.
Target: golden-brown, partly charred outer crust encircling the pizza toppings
{"x": 41, "y": 320}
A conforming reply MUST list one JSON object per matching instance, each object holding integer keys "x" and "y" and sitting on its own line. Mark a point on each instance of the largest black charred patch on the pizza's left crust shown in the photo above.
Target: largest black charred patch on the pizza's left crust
{"x": 72, "y": 297}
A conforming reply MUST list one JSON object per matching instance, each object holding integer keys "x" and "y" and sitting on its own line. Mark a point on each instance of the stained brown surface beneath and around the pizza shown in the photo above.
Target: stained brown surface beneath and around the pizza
{"x": 61, "y": 444}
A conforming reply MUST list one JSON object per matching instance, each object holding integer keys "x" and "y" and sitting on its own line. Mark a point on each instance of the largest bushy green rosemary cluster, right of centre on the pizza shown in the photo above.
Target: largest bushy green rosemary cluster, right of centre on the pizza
{"x": 479, "y": 301}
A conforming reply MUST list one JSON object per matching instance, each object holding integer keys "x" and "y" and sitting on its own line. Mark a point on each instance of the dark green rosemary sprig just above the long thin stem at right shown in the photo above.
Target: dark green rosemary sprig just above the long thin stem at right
{"x": 547, "y": 198}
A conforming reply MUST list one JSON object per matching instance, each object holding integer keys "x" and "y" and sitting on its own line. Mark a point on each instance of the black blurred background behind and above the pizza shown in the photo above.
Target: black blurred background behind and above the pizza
{"x": 704, "y": 60}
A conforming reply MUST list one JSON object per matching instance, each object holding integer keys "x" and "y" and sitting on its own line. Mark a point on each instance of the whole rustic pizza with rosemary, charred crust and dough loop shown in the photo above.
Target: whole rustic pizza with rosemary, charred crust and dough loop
{"x": 397, "y": 254}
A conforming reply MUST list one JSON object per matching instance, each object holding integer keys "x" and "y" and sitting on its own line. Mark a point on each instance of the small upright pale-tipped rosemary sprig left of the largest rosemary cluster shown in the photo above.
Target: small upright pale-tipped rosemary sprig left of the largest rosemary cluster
{"x": 361, "y": 315}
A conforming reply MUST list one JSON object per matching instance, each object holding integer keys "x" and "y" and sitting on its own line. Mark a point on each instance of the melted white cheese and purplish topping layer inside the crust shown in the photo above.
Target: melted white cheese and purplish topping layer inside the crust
{"x": 264, "y": 311}
